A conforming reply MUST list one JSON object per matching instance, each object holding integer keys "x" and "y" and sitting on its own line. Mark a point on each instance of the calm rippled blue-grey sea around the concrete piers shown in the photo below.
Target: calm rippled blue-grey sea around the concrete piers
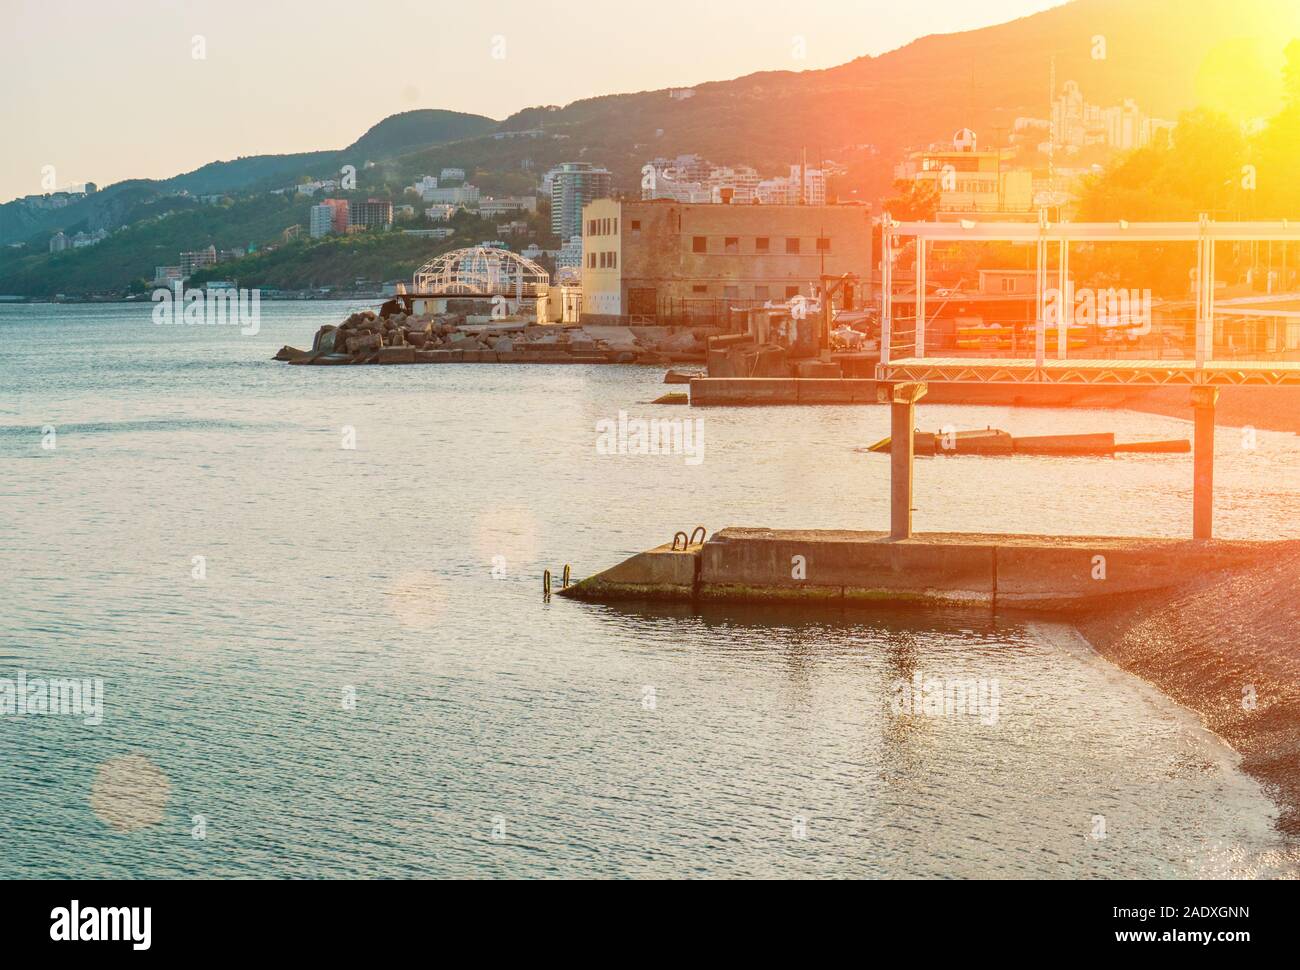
{"x": 349, "y": 691}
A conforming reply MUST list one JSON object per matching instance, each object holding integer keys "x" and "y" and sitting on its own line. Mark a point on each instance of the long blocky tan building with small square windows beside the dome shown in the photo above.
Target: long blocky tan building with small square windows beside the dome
{"x": 656, "y": 259}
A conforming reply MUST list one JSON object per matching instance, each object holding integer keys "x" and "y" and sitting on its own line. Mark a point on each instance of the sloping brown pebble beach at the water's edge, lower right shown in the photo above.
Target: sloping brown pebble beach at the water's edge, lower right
{"x": 1228, "y": 648}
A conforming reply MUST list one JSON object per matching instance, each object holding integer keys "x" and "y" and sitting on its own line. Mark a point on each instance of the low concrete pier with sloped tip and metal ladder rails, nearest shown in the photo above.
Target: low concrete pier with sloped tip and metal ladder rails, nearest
{"x": 847, "y": 569}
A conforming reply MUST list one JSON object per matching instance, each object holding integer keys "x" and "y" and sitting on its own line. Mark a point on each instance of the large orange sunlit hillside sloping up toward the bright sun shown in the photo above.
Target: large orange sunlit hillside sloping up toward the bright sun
{"x": 1167, "y": 54}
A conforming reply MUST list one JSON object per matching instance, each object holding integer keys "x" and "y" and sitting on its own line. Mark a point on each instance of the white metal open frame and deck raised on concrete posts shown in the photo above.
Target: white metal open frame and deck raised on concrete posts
{"x": 1041, "y": 370}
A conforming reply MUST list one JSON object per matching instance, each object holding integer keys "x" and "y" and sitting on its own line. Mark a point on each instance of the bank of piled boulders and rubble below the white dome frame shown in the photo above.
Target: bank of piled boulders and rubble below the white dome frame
{"x": 396, "y": 337}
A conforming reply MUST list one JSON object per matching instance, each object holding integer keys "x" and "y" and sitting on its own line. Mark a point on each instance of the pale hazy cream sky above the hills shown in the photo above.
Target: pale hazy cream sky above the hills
{"x": 106, "y": 90}
